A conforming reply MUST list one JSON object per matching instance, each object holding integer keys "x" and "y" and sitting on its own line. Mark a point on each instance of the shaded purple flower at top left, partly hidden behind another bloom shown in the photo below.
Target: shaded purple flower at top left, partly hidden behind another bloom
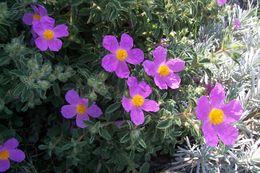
{"x": 36, "y": 16}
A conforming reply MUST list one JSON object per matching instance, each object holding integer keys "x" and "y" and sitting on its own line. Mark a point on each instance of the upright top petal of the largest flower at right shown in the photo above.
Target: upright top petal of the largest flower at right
{"x": 217, "y": 95}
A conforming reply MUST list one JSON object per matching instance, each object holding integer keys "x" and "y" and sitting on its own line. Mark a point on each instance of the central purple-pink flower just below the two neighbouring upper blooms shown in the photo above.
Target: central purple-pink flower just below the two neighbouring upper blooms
{"x": 138, "y": 102}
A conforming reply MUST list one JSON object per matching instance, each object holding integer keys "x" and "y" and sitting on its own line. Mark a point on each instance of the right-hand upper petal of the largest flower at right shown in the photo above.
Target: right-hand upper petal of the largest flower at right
{"x": 232, "y": 111}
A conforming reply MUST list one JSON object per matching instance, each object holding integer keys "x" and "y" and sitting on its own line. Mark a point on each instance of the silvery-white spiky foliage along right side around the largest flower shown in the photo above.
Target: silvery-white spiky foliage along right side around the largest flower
{"x": 237, "y": 66}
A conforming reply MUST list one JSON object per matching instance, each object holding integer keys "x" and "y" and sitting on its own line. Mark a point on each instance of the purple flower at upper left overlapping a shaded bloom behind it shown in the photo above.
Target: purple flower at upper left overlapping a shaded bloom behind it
{"x": 48, "y": 34}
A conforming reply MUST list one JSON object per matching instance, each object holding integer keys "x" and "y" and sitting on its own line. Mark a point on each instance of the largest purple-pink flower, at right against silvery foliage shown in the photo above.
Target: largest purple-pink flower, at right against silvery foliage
{"x": 217, "y": 117}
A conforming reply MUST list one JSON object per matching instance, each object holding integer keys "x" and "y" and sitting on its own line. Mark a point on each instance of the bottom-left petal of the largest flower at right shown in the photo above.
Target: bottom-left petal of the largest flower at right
{"x": 210, "y": 135}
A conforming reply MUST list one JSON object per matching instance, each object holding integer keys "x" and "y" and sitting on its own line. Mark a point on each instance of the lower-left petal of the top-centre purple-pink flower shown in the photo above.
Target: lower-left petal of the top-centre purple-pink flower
{"x": 109, "y": 62}
